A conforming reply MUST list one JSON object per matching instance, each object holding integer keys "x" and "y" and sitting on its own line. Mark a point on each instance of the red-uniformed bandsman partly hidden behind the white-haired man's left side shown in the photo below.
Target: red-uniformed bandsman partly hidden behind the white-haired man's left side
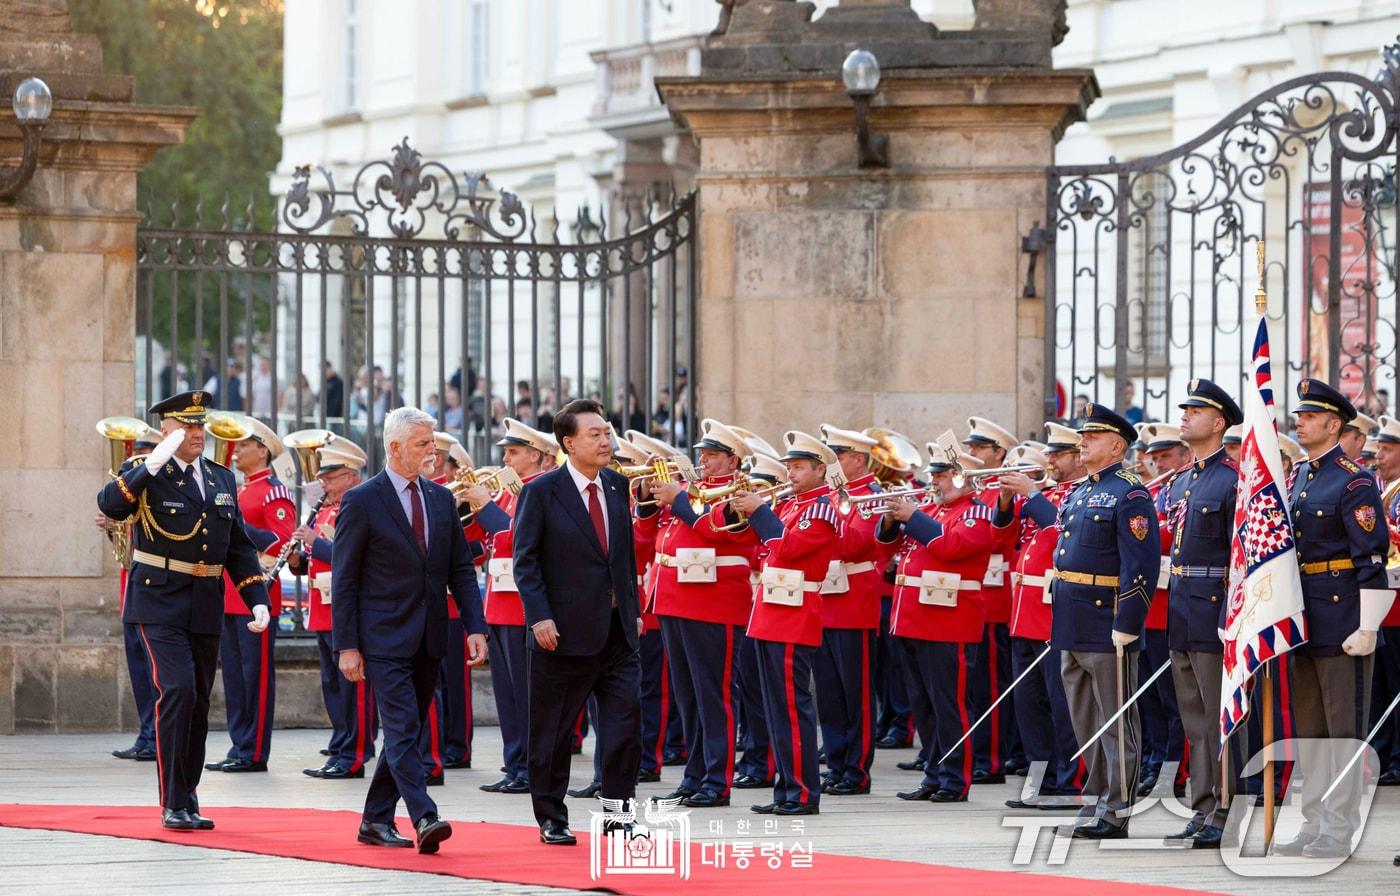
{"x": 349, "y": 705}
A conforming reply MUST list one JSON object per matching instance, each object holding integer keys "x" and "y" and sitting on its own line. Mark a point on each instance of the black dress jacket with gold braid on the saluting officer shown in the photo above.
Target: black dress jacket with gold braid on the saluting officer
{"x": 174, "y": 521}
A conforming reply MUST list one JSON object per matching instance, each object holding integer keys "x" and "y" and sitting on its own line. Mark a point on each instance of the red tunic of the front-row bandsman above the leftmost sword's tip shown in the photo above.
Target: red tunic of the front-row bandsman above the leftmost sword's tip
{"x": 961, "y": 551}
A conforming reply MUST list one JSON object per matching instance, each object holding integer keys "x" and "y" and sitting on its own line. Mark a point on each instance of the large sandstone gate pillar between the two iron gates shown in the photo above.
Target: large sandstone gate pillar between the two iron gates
{"x": 892, "y": 297}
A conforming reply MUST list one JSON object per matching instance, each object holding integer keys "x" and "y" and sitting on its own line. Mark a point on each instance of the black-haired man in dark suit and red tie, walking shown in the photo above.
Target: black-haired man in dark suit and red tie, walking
{"x": 576, "y": 573}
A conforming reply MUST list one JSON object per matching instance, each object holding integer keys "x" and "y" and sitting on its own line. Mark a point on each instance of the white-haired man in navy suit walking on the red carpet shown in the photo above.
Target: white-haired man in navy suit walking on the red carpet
{"x": 398, "y": 549}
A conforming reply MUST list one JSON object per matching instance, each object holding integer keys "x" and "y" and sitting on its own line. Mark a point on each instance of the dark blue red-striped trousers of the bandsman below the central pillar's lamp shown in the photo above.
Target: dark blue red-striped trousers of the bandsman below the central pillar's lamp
{"x": 845, "y": 673}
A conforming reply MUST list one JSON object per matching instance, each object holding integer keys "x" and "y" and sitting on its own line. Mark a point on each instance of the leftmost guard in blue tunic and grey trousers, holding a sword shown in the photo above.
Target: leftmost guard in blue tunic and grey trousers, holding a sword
{"x": 1107, "y": 568}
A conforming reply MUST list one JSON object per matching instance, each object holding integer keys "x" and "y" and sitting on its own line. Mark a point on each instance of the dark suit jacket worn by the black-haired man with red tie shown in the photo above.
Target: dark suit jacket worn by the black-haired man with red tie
{"x": 561, "y": 569}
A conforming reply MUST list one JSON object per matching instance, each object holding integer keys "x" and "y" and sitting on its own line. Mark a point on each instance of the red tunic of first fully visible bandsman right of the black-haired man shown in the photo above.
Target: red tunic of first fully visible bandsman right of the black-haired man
{"x": 682, "y": 549}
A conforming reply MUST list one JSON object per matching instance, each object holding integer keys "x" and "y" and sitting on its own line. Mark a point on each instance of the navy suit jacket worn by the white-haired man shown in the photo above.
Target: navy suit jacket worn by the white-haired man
{"x": 388, "y": 597}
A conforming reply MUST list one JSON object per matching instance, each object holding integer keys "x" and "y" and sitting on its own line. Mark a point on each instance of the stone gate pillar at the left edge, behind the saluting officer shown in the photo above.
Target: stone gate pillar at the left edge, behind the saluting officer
{"x": 68, "y": 338}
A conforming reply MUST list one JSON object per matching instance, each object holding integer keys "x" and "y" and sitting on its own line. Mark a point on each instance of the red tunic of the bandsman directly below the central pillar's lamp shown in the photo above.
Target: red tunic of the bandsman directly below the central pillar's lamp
{"x": 852, "y": 591}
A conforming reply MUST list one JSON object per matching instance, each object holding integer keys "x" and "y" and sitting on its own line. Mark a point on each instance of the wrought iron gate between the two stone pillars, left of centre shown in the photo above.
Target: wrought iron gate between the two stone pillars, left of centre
{"x": 416, "y": 283}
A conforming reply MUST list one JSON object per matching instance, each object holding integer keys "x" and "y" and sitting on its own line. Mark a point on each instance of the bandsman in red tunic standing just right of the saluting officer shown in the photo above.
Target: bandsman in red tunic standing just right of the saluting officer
{"x": 247, "y": 657}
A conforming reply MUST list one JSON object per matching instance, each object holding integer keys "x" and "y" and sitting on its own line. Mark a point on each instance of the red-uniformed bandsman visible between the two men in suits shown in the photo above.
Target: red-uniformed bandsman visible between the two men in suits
{"x": 524, "y": 450}
